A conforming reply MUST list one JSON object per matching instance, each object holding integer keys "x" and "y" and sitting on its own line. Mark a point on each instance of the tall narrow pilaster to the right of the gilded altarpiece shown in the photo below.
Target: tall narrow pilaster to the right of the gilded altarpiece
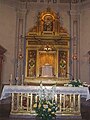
{"x": 75, "y": 41}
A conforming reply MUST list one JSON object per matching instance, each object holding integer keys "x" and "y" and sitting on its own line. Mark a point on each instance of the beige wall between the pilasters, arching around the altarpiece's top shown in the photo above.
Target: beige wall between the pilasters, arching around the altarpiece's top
{"x": 35, "y": 9}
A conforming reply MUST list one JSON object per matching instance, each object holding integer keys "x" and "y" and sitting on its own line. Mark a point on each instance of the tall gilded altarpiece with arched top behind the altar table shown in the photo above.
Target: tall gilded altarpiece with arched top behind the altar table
{"x": 47, "y": 50}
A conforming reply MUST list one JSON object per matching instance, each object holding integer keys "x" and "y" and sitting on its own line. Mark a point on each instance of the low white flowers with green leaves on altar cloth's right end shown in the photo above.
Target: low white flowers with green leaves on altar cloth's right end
{"x": 74, "y": 83}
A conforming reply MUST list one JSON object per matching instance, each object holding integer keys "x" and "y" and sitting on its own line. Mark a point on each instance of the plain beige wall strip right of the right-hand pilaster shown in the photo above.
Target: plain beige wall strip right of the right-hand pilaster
{"x": 85, "y": 44}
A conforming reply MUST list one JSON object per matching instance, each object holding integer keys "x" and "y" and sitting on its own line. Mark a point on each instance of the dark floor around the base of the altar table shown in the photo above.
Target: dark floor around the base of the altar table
{"x": 5, "y": 113}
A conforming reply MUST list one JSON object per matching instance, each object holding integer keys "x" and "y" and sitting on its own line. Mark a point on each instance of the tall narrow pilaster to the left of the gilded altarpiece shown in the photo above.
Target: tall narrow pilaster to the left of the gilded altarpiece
{"x": 21, "y": 17}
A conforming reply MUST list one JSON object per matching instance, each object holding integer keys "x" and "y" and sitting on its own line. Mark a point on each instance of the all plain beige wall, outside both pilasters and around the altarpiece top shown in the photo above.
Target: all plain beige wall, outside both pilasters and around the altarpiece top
{"x": 8, "y": 29}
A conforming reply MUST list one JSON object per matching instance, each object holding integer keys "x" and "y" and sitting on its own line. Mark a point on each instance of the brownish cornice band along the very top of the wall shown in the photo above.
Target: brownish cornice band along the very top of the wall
{"x": 23, "y": 3}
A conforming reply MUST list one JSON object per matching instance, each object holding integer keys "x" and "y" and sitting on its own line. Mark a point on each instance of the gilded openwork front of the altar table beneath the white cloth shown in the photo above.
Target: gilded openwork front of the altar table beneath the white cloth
{"x": 24, "y": 102}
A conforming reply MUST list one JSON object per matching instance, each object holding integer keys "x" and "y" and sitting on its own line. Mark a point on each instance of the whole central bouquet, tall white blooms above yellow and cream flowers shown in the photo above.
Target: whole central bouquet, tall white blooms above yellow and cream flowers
{"x": 46, "y": 107}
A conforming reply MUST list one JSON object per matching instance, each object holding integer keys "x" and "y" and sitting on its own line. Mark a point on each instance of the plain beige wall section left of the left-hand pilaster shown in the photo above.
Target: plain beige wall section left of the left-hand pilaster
{"x": 7, "y": 39}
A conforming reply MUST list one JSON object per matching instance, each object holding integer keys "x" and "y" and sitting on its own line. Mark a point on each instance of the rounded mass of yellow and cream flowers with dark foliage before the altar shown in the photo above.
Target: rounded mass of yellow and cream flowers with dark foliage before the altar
{"x": 46, "y": 109}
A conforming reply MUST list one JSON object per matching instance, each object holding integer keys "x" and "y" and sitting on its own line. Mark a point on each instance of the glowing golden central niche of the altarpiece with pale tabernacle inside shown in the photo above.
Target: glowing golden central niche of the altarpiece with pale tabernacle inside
{"x": 47, "y": 64}
